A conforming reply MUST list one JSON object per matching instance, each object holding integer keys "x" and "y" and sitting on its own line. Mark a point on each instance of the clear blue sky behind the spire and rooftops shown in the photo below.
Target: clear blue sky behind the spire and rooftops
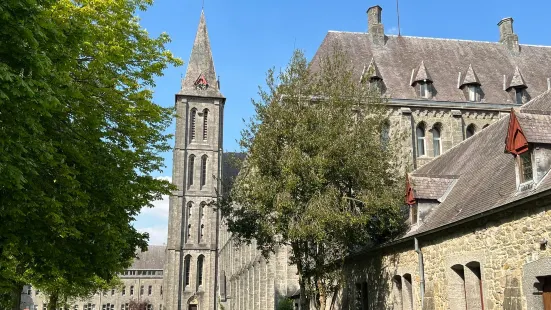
{"x": 249, "y": 37}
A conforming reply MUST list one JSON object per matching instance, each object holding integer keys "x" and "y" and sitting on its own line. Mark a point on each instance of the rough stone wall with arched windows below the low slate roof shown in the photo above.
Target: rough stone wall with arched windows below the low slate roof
{"x": 500, "y": 254}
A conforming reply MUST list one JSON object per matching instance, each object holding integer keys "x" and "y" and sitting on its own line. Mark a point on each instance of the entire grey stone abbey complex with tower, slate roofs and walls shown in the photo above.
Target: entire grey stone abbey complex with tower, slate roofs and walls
{"x": 477, "y": 119}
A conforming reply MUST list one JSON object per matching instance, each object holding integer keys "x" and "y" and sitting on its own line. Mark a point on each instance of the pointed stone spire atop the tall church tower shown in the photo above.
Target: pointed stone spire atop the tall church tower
{"x": 200, "y": 79}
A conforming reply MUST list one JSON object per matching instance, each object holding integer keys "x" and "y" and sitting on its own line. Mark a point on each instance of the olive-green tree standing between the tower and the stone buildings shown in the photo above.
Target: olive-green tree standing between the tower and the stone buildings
{"x": 320, "y": 175}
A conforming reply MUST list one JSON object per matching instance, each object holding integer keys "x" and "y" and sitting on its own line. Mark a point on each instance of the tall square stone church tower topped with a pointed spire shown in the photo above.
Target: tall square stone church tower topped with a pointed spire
{"x": 190, "y": 270}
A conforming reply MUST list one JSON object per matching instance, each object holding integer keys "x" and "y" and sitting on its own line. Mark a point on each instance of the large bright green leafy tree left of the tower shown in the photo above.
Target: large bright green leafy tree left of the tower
{"x": 79, "y": 138}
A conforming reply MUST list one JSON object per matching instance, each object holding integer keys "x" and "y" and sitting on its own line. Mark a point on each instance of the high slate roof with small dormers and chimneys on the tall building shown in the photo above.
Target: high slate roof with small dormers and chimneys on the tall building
{"x": 444, "y": 59}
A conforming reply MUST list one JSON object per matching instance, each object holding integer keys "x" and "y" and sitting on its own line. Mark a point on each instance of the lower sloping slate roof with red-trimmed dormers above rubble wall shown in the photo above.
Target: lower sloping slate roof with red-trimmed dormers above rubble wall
{"x": 485, "y": 173}
